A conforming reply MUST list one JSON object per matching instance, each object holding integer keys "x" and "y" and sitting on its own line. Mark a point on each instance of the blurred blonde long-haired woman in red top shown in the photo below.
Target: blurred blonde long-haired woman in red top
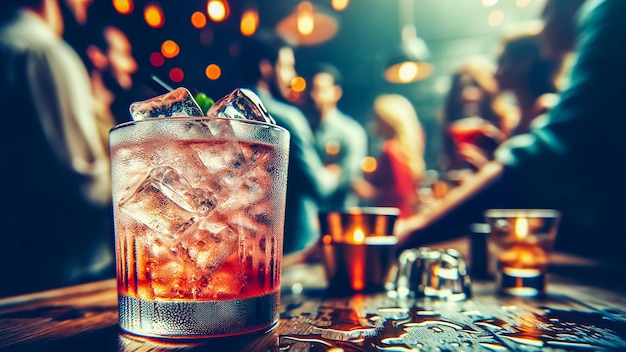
{"x": 400, "y": 165}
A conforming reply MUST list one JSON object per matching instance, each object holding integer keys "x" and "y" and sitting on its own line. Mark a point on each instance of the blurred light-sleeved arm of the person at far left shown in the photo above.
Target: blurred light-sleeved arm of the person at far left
{"x": 62, "y": 97}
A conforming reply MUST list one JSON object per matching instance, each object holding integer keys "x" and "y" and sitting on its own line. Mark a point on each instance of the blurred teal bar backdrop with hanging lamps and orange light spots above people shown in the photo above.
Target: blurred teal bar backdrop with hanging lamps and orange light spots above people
{"x": 195, "y": 43}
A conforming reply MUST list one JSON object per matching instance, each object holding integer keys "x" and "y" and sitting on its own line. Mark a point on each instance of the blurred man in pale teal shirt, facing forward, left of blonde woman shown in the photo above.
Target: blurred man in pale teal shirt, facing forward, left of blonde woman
{"x": 339, "y": 138}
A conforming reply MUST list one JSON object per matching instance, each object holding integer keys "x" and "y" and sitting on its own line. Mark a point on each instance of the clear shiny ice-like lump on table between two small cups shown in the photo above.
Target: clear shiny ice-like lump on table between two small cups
{"x": 434, "y": 273}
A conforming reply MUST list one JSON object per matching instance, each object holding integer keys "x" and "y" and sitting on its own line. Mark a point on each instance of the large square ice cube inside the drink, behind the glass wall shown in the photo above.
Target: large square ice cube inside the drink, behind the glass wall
{"x": 166, "y": 202}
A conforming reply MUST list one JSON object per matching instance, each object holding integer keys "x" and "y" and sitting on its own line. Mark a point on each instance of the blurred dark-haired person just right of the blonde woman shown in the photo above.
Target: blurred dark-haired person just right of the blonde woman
{"x": 473, "y": 100}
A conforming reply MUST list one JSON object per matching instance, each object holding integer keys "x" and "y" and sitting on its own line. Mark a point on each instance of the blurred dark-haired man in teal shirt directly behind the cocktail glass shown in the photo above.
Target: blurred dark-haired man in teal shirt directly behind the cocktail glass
{"x": 267, "y": 67}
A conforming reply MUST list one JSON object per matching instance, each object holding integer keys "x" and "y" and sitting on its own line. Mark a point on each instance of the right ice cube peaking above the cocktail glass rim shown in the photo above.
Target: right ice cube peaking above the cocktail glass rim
{"x": 241, "y": 104}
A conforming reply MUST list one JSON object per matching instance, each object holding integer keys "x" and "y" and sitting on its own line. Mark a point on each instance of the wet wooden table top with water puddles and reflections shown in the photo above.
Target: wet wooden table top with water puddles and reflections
{"x": 574, "y": 316}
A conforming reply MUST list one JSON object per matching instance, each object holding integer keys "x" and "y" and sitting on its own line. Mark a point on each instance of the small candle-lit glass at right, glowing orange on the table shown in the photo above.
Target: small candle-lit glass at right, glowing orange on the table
{"x": 519, "y": 246}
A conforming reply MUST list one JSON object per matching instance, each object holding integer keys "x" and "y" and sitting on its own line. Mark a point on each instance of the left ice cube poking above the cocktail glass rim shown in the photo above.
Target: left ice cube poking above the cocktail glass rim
{"x": 178, "y": 102}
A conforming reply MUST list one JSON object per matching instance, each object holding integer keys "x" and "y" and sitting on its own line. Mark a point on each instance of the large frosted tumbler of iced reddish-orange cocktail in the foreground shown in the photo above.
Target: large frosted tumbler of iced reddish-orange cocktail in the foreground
{"x": 199, "y": 210}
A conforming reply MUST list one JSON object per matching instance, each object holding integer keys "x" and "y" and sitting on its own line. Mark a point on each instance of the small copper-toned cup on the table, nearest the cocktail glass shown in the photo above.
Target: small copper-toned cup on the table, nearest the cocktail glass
{"x": 358, "y": 248}
